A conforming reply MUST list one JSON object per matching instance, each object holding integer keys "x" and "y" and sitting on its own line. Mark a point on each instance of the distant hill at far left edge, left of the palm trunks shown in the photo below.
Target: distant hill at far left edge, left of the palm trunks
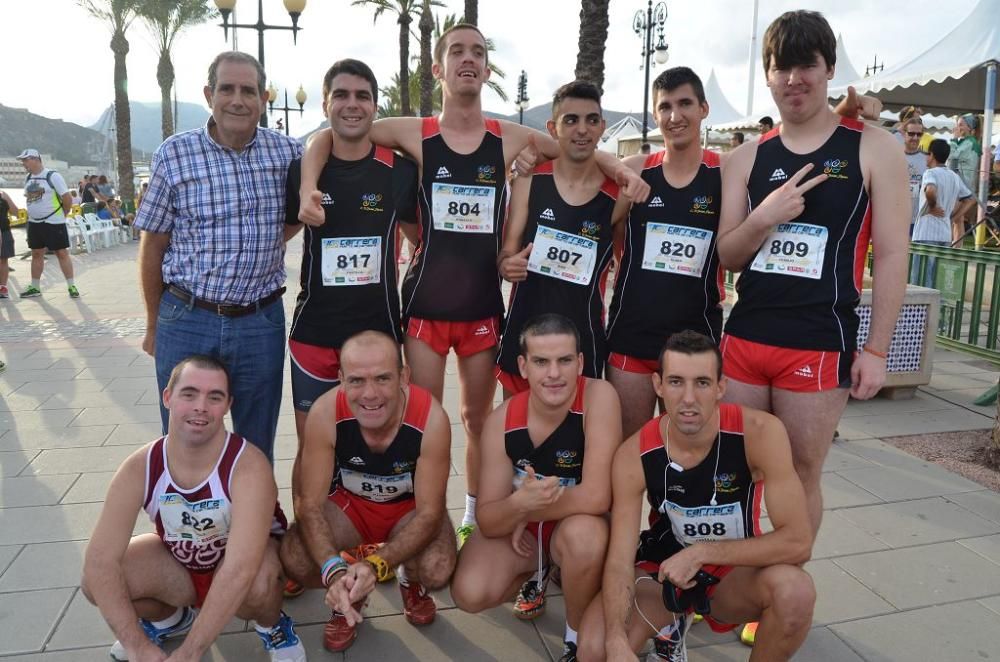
{"x": 66, "y": 141}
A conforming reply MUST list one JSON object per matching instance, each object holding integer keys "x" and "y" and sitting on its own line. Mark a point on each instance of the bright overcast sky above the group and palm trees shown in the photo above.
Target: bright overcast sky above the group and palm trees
{"x": 58, "y": 63}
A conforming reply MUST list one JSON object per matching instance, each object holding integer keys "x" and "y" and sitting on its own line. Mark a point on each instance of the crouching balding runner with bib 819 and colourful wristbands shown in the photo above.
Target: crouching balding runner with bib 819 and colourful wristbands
{"x": 386, "y": 443}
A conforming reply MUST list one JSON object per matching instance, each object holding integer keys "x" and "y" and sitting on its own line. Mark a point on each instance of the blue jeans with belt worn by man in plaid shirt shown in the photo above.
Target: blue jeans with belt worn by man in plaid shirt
{"x": 252, "y": 347}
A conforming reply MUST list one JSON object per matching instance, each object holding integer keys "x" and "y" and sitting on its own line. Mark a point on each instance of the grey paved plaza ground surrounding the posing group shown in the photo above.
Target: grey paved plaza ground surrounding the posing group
{"x": 907, "y": 564}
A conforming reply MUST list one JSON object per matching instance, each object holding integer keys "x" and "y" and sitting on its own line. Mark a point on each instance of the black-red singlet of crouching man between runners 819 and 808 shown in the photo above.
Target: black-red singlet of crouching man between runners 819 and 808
{"x": 560, "y": 455}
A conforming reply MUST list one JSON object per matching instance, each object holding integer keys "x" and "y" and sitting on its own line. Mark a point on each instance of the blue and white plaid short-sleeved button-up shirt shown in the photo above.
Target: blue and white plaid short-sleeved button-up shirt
{"x": 224, "y": 211}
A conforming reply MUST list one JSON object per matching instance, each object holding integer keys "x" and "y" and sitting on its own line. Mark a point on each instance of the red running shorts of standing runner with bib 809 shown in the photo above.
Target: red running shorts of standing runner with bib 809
{"x": 797, "y": 370}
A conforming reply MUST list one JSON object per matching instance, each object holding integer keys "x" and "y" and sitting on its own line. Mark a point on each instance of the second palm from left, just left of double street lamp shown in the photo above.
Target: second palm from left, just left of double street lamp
{"x": 166, "y": 19}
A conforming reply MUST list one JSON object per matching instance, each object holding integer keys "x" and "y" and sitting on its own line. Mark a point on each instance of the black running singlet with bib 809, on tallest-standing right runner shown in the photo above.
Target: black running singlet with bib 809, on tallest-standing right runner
{"x": 802, "y": 287}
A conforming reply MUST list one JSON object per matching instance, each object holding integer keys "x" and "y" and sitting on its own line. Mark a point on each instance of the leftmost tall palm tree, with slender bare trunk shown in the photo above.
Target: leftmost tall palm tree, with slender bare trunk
{"x": 118, "y": 16}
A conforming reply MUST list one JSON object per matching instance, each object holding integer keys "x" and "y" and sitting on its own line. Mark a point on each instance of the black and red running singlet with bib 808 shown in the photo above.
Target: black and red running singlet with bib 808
{"x": 715, "y": 500}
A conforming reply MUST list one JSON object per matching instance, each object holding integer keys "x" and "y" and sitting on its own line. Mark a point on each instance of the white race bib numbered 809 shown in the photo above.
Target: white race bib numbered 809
{"x": 793, "y": 249}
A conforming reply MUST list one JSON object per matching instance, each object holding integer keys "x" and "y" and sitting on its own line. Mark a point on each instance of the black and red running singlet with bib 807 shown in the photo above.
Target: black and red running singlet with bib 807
{"x": 567, "y": 270}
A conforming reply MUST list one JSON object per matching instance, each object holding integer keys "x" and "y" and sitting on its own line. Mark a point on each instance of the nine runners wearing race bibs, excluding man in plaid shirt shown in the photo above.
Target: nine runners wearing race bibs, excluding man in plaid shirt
{"x": 557, "y": 473}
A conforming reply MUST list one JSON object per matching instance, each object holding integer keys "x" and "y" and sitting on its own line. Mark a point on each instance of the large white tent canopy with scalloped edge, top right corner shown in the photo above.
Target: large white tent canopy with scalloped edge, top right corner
{"x": 950, "y": 76}
